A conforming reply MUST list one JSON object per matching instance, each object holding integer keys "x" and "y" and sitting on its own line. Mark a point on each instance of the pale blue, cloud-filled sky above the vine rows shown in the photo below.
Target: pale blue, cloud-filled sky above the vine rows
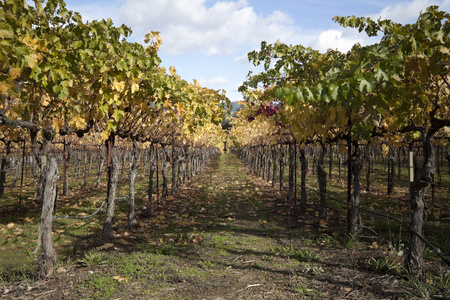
{"x": 208, "y": 40}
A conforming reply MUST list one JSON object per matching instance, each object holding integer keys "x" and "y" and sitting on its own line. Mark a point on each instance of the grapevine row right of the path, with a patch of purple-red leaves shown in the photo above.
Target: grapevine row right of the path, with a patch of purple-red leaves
{"x": 393, "y": 94}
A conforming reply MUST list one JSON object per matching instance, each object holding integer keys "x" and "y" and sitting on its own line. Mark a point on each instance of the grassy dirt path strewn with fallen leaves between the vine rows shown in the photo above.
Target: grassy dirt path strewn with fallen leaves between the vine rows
{"x": 226, "y": 235}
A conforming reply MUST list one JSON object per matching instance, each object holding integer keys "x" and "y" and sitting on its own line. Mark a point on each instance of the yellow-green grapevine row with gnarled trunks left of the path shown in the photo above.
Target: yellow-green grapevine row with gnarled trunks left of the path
{"x": 66, "y": 83}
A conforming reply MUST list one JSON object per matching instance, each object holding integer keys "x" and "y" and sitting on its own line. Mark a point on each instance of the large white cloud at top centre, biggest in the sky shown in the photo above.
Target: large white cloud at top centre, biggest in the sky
{"x": 189, "y": 26}
